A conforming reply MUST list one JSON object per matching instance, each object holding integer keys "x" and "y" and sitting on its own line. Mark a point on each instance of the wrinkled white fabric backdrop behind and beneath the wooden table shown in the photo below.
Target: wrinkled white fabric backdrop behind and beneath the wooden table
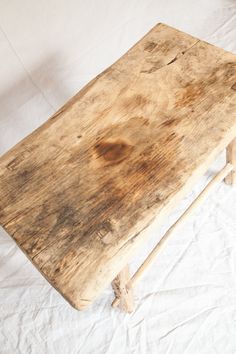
{"x": 49, "y": 49}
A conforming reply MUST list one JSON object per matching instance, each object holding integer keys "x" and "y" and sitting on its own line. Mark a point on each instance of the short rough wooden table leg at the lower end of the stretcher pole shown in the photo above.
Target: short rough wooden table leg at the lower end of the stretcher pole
{"x": 122, "y": 292}
